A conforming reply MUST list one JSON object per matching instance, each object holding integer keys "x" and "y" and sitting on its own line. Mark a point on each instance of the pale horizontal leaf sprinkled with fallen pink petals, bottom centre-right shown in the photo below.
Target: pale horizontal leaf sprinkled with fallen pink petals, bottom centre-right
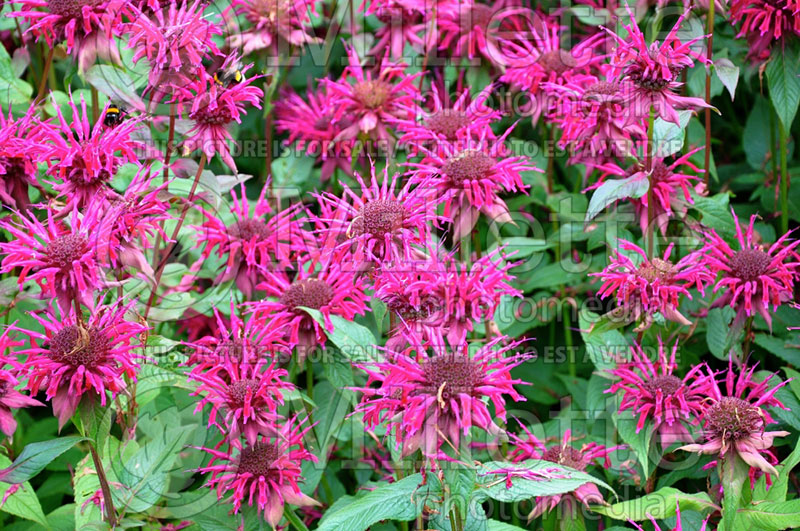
{"x": 544, "y": 478}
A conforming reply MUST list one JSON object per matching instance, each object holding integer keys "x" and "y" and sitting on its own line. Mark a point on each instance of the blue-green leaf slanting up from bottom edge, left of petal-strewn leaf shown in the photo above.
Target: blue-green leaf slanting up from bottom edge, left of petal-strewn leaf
{"x": 402, "y": 500}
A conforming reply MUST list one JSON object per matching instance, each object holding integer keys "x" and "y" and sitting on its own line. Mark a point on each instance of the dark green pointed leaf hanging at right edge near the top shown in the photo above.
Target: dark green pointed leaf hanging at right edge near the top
{"x": 783, "y": 83}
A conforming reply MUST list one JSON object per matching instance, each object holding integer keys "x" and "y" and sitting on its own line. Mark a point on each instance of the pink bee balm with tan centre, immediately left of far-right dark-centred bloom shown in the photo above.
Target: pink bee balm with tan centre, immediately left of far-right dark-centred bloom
{"x": 646, "y": 286}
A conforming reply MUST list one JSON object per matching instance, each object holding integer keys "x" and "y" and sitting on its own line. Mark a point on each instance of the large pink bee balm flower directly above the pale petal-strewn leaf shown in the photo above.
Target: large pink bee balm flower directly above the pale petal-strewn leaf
{"x": 430, "y": 400}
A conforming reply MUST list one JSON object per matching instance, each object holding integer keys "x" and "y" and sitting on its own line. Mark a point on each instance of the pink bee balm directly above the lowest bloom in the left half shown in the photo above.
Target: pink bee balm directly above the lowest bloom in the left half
{"x": 245, "y": 391}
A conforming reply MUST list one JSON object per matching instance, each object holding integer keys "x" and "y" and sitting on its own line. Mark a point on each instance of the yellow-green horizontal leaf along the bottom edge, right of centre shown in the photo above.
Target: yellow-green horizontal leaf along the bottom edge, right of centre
{"x": 659, "y": 504}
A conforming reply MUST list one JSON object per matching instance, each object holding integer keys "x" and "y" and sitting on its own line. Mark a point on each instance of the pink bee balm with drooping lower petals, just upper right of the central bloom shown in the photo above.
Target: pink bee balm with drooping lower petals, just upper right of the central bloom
{"x": 469, "y": 177}
